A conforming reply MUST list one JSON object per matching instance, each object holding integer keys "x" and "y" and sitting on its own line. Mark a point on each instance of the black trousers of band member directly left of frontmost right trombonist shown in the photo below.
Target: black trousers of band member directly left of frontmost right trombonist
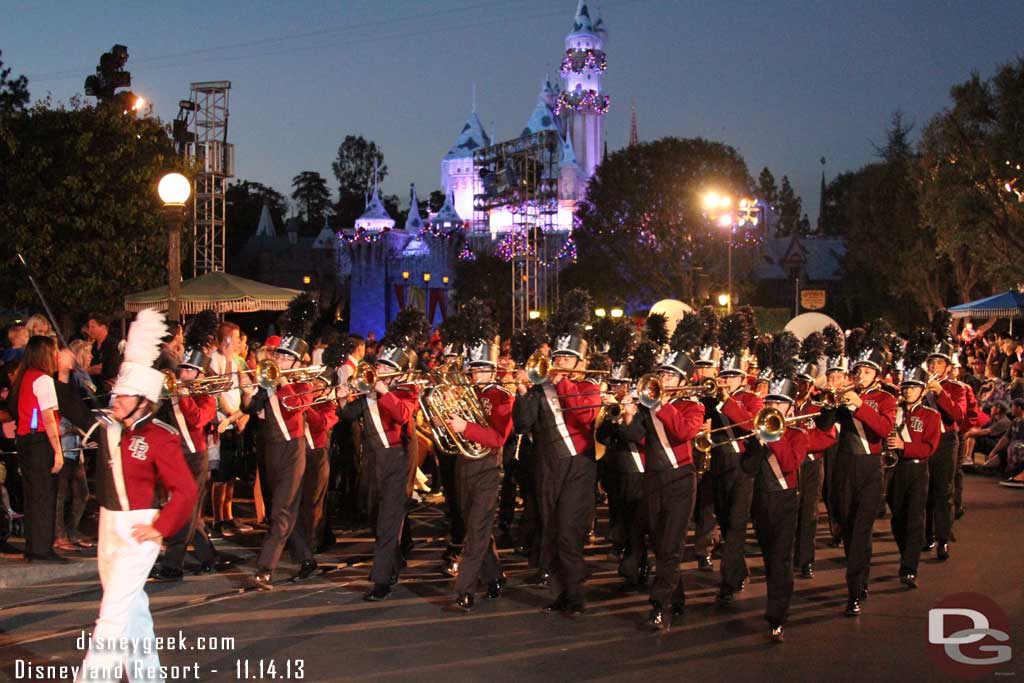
{"x": 734, "y": 490}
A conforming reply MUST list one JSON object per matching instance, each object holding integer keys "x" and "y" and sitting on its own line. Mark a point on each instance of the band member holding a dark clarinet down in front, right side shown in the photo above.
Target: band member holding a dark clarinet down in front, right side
{"x": 919, "y": 430}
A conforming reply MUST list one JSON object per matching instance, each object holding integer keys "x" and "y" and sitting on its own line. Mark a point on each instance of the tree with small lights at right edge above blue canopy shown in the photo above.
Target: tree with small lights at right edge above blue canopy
{"x": 970, "y": 167}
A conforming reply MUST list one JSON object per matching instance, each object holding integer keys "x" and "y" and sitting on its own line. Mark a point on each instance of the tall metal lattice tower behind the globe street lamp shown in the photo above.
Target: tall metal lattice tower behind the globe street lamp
{"x": 215, "y": 159}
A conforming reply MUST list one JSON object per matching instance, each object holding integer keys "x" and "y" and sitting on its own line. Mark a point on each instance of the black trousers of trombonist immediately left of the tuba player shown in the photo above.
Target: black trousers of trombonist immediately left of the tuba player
{"x": 391, "y": 475}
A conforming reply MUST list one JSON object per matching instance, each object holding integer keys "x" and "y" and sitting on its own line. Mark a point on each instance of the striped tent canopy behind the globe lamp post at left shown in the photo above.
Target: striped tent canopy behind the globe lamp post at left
{"x": 219, "y": 291}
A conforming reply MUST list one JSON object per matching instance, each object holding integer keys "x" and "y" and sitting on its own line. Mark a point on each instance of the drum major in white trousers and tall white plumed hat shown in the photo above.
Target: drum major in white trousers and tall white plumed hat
{"x": 136, "y": 452}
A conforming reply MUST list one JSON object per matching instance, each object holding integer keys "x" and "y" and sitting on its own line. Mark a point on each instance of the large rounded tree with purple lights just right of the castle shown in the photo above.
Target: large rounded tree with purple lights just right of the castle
{"x": 641, "y": 228}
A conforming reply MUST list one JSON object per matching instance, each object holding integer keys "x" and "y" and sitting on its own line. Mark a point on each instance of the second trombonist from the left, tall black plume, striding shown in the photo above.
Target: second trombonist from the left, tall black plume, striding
{"x": 284, "y": 439}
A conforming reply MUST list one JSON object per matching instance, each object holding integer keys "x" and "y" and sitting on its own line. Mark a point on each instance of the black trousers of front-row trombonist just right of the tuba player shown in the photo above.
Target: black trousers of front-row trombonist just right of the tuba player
{"x": 567, "y": 506}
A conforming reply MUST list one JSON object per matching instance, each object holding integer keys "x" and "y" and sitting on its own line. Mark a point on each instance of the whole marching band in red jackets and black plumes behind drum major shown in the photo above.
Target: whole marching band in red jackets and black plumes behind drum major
{"x": 716, "y": 426}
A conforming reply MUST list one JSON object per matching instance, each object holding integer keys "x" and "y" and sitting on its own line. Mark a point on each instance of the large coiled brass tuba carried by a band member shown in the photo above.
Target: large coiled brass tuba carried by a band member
{"x": 447, "y": 399}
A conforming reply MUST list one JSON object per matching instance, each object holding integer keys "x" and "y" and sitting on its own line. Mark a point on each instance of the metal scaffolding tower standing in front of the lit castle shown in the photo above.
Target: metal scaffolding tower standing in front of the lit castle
{"x": 522, "y": 177}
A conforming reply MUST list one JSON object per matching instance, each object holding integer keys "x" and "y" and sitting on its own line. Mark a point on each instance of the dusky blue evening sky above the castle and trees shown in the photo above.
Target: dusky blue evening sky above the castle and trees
{"x": 787, "y": 83}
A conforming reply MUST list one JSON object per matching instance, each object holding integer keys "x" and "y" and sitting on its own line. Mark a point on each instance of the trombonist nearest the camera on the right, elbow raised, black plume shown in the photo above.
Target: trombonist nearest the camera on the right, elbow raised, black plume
{"x": 776, "y": 466}
